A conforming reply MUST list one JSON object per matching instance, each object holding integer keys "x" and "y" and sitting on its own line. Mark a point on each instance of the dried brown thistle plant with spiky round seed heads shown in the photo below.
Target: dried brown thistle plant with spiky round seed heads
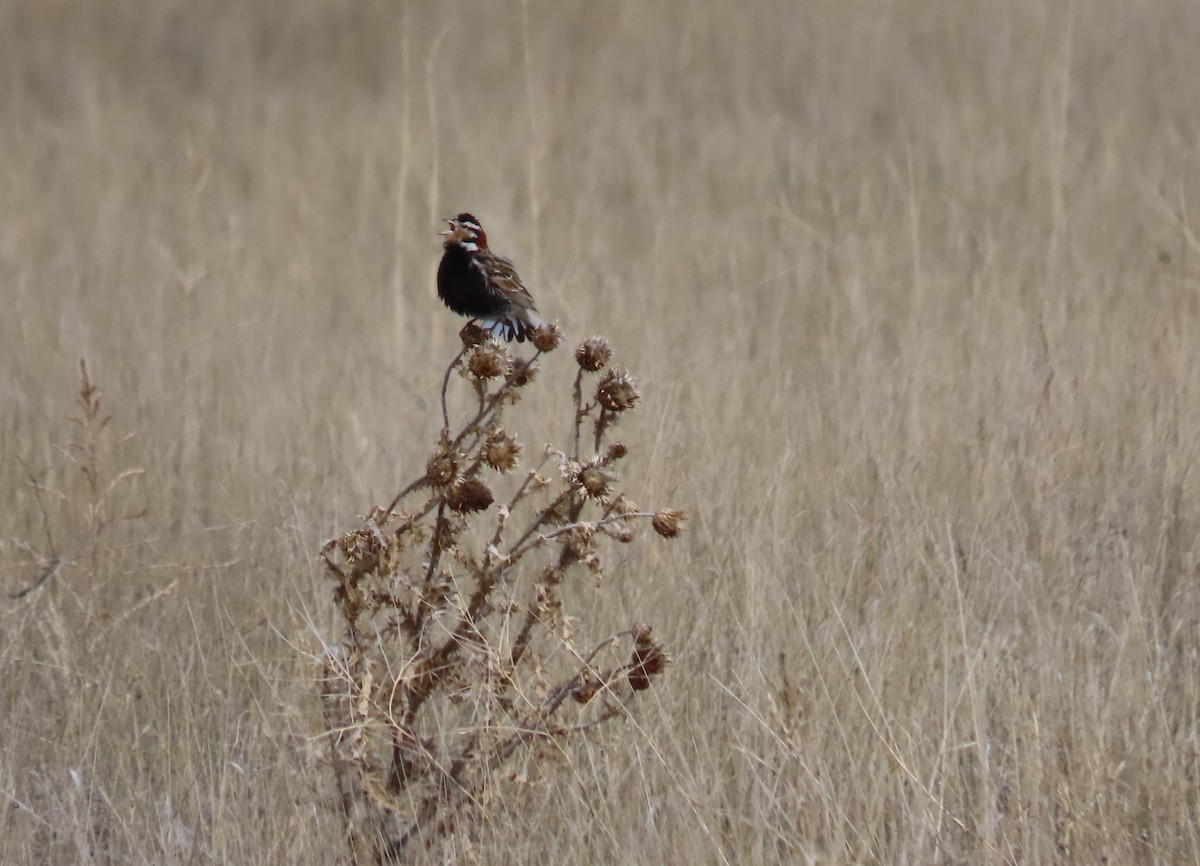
{"x": 458, "y": 652}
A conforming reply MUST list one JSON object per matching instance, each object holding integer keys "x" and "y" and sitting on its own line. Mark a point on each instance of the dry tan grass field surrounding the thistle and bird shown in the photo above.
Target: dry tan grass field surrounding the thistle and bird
{"x": 914, "y": 296}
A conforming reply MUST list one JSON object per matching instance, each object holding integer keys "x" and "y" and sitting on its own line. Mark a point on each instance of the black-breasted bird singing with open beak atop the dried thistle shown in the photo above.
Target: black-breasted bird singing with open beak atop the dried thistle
{"x": 475, "y": 281}
